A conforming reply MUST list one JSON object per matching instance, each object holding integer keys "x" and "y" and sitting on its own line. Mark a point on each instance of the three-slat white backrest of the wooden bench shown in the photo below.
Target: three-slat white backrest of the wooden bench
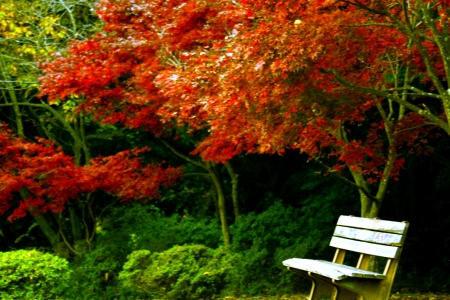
{"x": 370, "y": 236}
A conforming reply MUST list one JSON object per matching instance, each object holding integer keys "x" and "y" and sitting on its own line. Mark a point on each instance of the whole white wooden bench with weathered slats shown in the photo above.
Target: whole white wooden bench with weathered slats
{"x": 369, "y": 237}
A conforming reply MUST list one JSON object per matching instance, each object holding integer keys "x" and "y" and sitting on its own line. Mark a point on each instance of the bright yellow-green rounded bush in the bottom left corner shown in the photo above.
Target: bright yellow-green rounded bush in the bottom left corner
{"x": 30, "y": 274}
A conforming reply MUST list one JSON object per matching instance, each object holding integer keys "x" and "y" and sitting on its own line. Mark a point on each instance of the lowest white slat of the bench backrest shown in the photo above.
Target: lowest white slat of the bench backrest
{"x": 363, "y": 247}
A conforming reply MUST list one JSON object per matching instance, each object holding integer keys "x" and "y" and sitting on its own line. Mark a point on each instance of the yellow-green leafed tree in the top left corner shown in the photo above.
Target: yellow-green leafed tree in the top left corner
{"x": 30, "y": 31}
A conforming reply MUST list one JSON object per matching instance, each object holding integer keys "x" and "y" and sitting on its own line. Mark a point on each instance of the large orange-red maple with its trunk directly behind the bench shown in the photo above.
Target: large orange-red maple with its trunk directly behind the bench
{"x": 306, "y": 76}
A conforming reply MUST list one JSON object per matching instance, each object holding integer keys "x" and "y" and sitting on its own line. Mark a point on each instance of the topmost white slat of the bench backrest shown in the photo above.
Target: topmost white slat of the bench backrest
{"x": 373, "y": 224}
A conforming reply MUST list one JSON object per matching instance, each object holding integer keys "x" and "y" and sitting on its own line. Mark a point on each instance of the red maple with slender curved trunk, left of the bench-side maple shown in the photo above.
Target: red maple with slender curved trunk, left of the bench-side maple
{"x": 114, "y": 73}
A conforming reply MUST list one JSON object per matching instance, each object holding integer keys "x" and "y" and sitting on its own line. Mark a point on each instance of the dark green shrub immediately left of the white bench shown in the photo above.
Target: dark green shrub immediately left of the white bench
{"x": 264, "y": 241}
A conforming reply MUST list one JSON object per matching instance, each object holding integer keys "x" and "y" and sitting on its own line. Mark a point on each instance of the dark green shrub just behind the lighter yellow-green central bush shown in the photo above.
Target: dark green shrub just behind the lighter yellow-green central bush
{"x": 137, "y": 227}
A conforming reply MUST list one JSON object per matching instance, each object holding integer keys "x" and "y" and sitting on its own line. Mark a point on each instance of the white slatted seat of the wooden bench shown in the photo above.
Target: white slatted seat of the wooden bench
{"x": 329, "y": 269}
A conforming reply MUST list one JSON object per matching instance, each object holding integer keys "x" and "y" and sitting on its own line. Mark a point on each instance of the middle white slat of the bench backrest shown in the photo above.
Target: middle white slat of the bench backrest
{"x": 391, "y": 239}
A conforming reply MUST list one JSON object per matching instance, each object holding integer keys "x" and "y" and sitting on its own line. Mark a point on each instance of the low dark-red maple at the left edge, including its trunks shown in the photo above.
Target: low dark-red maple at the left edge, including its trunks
{"x": 40, "y": 180}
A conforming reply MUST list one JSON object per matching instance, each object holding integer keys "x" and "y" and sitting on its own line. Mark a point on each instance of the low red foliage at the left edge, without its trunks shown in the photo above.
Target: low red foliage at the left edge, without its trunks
{"x": 37, "y": 178}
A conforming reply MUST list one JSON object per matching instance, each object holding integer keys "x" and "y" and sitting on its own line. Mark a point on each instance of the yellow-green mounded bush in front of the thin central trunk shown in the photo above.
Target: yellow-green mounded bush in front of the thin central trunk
{"x": 182, "y": 272}
